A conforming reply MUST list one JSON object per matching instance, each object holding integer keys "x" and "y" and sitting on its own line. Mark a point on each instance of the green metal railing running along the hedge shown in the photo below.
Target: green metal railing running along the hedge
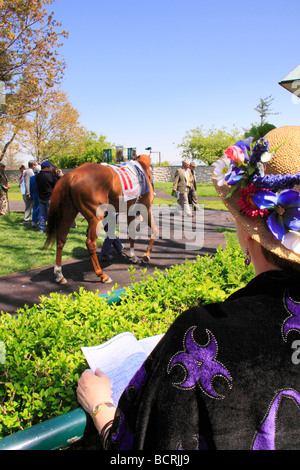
{"x": 59, "y": 432}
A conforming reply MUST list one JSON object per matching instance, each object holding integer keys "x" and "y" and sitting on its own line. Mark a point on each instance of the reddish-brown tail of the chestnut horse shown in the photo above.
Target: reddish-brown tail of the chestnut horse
{"x": 60, "y": 204}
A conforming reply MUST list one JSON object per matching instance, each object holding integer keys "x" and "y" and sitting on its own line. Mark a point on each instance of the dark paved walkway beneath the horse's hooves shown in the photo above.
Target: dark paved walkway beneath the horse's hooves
{"x": 19, "y": 289}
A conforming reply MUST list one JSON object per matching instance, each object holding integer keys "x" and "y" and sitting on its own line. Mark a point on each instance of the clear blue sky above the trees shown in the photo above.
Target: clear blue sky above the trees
{"x": 143, "y": 72}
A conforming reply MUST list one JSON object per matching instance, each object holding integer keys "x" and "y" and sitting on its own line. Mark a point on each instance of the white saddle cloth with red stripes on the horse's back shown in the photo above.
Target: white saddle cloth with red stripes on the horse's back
{"x": 133, "y": 179}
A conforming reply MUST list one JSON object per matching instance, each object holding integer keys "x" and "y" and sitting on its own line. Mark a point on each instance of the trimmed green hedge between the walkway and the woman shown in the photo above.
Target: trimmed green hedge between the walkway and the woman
{"x": 42, "y": 357}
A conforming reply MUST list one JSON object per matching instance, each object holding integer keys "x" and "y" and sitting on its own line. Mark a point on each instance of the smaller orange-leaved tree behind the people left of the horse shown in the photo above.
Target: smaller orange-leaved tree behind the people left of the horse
{"x": 53, "y": 127}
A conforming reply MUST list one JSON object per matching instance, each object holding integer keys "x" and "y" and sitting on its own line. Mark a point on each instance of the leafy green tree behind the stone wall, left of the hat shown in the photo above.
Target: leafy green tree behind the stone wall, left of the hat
{"x": 207, "y": 146}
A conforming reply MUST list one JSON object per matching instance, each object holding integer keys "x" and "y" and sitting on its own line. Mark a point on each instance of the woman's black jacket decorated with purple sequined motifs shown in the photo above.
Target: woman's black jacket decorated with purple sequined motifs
{"x": 224, "y": 376}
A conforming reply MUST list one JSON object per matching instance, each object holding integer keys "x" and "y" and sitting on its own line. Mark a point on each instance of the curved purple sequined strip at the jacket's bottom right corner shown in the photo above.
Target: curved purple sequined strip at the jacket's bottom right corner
{"x": 265, "y": 439}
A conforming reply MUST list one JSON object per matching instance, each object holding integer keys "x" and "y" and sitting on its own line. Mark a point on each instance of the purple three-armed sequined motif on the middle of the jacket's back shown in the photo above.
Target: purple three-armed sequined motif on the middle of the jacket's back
{"x": 200, "y": 364}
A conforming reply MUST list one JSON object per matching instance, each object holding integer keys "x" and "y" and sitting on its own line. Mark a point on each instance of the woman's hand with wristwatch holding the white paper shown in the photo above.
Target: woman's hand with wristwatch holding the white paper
{"x": 93, "y": 389}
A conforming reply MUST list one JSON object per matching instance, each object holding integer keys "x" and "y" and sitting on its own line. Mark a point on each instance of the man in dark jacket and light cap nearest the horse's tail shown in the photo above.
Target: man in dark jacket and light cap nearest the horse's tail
{"x": 45, "y": 181}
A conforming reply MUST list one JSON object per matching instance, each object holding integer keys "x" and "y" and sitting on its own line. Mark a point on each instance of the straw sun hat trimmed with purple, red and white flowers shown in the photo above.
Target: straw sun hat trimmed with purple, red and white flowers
{"x": 259, "y": 184}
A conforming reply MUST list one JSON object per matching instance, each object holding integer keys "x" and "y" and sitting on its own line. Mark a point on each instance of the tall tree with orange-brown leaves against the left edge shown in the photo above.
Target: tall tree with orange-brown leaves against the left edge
{"x": 29, "y": 60}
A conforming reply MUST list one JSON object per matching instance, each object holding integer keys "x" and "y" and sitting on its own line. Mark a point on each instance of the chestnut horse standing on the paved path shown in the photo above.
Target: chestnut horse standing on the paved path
{"x": 88, "y": 190}
